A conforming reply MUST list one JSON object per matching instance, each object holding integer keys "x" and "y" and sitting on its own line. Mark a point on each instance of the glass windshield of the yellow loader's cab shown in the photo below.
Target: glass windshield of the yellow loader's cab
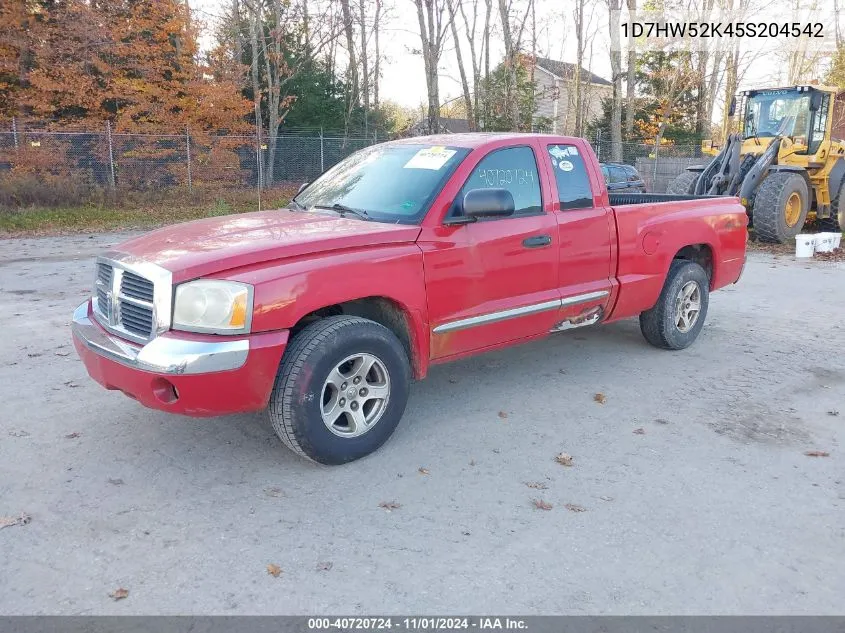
{"x": 777, "y": 113}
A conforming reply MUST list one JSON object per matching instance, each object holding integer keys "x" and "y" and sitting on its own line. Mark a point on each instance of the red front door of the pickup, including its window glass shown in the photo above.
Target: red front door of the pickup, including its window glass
{"x": 494, "y": 281}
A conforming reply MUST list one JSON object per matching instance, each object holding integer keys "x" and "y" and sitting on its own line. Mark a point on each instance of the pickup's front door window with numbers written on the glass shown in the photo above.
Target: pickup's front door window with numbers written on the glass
{"x": 511, "y": 168}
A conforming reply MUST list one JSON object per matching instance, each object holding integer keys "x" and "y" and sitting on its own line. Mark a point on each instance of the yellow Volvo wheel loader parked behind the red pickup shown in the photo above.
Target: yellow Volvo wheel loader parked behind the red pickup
{"x": 788, "y": 162}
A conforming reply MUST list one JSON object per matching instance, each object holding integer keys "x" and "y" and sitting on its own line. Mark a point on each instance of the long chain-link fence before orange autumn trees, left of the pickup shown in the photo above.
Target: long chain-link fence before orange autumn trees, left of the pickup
{"x": 62, "y": 168}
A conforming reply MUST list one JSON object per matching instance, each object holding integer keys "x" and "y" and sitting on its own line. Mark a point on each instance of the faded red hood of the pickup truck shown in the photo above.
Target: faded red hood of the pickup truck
{"x": 212, "y": 245}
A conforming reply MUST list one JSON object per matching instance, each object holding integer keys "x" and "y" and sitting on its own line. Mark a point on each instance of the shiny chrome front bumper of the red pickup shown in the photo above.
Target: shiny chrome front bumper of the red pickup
{"x": 164, "y": 354}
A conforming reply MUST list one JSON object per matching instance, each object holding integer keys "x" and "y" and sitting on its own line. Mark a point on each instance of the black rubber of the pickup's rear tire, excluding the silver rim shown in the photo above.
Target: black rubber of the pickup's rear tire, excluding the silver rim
{"x": 658, "y": 325}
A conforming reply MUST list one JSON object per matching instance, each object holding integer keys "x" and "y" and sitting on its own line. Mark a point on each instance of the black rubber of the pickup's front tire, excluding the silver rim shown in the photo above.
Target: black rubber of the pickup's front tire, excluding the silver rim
{"x": 296, "y": 401}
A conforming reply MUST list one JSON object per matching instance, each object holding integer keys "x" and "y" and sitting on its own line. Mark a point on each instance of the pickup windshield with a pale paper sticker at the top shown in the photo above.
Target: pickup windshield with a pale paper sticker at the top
{"x": 388, "y": 183}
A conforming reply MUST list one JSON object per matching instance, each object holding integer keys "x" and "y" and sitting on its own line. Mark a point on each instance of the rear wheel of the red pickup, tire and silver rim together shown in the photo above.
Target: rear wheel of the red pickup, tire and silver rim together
{"x": 678, "y": 316}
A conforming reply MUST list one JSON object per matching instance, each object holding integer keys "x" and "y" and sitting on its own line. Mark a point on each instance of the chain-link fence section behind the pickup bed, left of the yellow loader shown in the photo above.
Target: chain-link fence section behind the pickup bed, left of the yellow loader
{"x": 658, "y": 166}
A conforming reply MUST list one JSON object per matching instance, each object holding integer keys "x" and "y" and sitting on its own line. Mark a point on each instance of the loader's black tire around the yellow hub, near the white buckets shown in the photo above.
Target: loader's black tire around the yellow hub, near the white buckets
{"x": 769, "y": 210}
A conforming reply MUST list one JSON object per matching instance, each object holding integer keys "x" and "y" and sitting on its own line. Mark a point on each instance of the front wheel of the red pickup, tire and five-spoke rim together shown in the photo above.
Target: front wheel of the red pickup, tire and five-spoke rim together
{"x": 341, "y": 389}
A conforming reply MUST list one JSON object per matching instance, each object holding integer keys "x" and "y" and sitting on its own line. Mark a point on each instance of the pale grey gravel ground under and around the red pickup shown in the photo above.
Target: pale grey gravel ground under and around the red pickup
{"x": 697, "y": 493}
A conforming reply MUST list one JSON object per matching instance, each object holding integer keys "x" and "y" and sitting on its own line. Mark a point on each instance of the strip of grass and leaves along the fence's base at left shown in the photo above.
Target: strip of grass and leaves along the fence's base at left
{"x": 131, "y": 214}
